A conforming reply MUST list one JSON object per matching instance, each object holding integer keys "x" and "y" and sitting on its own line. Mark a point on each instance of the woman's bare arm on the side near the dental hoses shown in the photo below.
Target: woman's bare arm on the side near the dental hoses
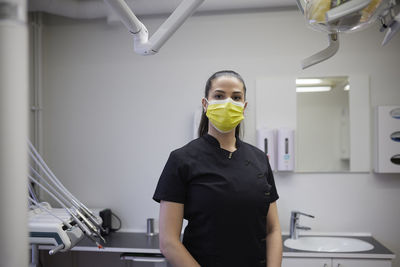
{"x": 170, "y": 225}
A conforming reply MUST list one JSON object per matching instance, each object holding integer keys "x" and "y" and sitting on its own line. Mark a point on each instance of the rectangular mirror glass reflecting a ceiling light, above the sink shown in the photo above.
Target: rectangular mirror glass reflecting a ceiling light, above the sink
{"x": 323, "y": 130}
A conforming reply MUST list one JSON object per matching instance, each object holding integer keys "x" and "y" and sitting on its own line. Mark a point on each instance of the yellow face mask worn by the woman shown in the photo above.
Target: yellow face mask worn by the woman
{"x": 225, "y": 114}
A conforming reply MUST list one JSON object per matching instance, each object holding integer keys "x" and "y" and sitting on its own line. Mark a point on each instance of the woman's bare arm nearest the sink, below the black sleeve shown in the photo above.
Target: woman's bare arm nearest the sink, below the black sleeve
{"x": 274, "y": 237}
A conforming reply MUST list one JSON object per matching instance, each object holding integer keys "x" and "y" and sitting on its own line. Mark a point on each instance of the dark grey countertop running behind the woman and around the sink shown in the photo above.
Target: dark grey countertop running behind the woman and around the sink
{"x": 127, "y": 242}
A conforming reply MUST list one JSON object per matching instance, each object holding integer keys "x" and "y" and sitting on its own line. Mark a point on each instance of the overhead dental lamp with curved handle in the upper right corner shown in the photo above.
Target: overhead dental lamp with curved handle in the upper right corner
{"x": 335, "y": 16}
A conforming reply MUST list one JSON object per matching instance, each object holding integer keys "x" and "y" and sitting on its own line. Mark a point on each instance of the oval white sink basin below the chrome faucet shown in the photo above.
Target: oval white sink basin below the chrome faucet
{"x": 328, "y": 244}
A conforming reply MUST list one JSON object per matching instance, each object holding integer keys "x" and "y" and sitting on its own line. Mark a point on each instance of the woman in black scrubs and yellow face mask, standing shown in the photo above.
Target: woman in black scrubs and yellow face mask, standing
{"x": 223, "y": 186}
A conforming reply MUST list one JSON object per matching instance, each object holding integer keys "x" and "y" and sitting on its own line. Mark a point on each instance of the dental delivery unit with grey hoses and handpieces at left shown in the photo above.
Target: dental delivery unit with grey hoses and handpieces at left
{"x": 62, "y": 227}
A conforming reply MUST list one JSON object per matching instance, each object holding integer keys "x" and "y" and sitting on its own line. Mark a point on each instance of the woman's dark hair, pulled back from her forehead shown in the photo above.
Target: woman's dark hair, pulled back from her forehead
{"x": 203, "y": 127}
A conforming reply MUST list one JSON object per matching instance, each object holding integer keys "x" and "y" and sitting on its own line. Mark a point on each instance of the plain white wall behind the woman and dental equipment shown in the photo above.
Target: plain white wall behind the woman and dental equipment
{"x": 111, "y": 117}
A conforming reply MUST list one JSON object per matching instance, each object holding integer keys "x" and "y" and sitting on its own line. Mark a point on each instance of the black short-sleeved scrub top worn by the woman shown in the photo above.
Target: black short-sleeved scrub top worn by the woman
{"x": 226, "y": 197}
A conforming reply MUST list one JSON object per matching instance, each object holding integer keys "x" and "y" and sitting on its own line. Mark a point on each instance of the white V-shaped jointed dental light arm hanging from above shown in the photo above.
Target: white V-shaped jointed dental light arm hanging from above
{"x": 142, "y": 44}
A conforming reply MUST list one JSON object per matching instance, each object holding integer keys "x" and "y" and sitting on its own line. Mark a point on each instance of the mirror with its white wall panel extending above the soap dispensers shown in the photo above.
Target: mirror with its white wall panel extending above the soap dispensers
{"x": 332, "y": 124}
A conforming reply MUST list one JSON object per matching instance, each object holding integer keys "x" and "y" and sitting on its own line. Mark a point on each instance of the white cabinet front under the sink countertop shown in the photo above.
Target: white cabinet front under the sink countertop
{"x": 335, "y": 262}
